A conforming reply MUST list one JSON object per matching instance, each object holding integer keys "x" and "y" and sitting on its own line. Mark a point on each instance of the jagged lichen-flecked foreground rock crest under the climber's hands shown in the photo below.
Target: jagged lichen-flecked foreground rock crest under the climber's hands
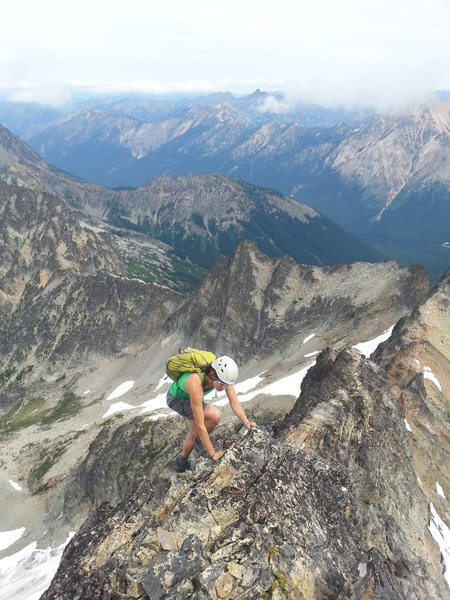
{"x": 328, "y": 507}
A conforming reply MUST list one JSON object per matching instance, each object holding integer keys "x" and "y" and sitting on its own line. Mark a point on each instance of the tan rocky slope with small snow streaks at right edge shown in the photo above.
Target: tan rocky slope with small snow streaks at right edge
{"x": 417, "y": 363}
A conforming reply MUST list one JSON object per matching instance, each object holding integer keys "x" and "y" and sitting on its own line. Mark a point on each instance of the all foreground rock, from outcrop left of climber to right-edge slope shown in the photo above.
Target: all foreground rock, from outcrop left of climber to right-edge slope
{"x": 342, "y": 498}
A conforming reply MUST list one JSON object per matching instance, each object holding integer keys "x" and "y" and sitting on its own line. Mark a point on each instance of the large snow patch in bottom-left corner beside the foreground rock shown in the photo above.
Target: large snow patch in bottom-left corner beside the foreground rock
{"x": 26, "y": 574}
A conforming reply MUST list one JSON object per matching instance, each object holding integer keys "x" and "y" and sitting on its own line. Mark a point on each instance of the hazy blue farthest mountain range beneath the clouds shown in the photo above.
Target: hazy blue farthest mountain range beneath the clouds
{"x": 385, "y": 178}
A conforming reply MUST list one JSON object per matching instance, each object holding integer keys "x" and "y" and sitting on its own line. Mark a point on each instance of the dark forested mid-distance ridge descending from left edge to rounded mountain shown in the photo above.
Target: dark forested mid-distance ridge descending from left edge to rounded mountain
{"x": 200, "y": 217}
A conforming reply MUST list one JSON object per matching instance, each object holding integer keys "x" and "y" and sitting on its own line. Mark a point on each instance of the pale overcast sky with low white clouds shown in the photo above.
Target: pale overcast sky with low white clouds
{"x": 377, "y": 52}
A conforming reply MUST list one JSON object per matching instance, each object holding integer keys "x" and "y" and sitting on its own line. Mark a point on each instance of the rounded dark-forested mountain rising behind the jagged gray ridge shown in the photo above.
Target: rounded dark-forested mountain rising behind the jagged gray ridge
{"x": 205, "y": 216}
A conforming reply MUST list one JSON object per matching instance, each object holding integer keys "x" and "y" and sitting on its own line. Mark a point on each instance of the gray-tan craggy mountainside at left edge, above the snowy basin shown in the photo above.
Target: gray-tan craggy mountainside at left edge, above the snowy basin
{"x": 64, "y": 291}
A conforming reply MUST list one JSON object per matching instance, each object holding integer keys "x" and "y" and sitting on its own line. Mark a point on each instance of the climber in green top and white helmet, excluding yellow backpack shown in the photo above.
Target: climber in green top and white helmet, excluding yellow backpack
{"x": 185, "y": 396}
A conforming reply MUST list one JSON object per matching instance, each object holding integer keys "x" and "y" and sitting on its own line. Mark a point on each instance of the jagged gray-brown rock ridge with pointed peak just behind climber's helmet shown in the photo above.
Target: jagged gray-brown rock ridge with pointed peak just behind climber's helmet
{"x": 252, "y": 306}
